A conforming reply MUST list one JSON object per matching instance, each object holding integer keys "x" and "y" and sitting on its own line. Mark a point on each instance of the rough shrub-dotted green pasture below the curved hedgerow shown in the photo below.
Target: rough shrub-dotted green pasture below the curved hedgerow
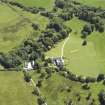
{"x": 54, "y": 90}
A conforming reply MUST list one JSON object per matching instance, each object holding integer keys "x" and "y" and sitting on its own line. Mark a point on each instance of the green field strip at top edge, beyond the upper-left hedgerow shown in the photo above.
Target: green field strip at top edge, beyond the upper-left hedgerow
{"x": 48, "y": 4}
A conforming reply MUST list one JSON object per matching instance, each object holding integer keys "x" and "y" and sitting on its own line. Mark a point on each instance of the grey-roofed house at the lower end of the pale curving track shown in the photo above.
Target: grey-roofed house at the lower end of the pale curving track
{"x": 58, "y": 61}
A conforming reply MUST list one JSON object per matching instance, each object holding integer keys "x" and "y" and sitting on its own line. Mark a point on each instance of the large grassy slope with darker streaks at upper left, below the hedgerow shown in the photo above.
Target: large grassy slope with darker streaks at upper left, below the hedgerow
{"x": 15, "y": 26}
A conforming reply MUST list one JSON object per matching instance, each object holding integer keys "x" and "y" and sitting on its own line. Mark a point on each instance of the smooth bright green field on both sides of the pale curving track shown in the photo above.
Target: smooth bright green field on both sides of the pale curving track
{"x": 82, "y": 60}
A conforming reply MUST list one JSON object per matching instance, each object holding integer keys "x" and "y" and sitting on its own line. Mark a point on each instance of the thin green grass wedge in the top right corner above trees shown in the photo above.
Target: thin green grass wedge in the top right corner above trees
{"x": 96, "y": 3}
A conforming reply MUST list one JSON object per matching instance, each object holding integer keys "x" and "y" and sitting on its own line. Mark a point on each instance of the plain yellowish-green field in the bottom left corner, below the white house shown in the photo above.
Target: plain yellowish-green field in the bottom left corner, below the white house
{"x": 14, "y": 91}
